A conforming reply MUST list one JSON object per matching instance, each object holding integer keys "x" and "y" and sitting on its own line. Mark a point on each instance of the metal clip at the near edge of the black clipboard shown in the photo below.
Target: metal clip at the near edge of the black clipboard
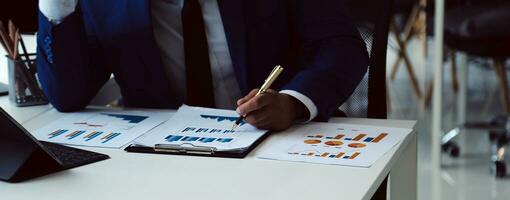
{"x": 185, "y": 148}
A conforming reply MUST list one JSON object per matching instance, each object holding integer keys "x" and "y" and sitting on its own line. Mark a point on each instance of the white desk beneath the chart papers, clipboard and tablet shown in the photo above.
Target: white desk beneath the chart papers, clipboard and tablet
{"x": 147, "y": 176}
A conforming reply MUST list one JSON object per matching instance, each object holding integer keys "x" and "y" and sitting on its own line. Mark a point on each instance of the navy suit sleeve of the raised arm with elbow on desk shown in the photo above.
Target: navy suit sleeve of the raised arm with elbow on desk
{"x": 69, "y": 63}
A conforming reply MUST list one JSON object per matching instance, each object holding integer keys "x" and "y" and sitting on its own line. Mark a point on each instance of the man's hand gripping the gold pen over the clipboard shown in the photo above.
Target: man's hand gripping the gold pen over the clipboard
{"x": 271, "y": 110}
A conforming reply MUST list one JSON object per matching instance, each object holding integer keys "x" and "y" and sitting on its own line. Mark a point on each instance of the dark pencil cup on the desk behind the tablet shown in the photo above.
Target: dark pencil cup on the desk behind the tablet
{"x": 24, "y": 89}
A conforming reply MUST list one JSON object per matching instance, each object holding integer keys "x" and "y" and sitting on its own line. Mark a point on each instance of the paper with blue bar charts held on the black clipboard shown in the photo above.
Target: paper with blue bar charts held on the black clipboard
{"x": 202, "y": 127}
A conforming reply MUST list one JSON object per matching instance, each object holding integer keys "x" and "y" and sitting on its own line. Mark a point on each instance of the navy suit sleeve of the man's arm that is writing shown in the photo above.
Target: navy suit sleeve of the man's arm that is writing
{"x": 332, "y": 55}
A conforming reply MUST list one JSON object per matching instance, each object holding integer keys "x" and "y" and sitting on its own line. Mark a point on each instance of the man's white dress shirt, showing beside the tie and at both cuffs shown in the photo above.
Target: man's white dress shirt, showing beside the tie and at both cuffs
{"x": 167, "y": 27}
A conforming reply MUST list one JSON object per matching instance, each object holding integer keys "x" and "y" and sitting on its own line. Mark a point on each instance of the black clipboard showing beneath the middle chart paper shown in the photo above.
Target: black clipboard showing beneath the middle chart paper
{"x": 196, "y": 150}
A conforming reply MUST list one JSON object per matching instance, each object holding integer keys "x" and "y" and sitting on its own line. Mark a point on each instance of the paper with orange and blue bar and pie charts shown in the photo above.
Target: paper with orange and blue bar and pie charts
{"x": 335, "y": 144}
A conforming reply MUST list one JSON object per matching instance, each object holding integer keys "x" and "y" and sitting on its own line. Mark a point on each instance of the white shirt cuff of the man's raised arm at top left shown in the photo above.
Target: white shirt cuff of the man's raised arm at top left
{"x": 57, "y": 10}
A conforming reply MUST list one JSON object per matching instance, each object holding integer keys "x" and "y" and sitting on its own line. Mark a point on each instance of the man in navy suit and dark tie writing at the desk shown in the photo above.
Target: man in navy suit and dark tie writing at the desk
{"x": 164, "y": 53}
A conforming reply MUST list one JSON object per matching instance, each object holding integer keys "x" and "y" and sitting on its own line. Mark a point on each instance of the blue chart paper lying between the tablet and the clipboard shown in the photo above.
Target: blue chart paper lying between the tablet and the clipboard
{"x": 101, "y": 128}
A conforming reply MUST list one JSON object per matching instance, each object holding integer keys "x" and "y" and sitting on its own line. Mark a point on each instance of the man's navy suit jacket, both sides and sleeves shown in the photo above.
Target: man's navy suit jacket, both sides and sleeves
{"x": 316, "y": 42}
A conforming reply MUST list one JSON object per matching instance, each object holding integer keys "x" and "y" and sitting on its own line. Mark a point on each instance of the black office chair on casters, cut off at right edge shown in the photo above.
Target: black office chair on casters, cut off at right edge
{"x": 482, "y": 29}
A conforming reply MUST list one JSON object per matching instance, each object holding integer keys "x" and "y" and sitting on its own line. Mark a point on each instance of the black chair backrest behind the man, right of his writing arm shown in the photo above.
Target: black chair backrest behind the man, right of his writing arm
{"x": 372, "y": 19}
